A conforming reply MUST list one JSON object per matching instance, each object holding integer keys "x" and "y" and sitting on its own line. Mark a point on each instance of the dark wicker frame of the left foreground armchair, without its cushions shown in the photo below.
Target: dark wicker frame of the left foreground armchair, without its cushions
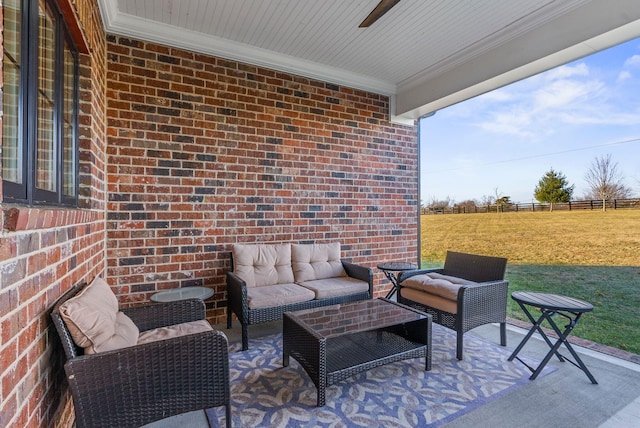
{"x": 136, "y": 385}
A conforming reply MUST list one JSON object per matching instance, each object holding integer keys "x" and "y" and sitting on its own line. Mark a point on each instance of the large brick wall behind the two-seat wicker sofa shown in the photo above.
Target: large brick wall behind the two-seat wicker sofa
{"x": 204, "y": 152}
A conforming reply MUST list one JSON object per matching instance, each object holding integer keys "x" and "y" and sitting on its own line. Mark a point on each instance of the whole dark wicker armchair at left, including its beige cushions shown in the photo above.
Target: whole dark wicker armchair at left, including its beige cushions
{"x": 130, "y": 367}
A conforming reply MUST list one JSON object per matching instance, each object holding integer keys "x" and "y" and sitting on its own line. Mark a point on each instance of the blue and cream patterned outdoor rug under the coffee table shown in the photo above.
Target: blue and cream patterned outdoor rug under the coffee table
{"x": 402, "y": 394}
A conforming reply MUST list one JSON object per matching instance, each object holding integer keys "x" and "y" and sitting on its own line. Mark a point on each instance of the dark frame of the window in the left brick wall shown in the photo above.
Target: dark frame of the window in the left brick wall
{"x": 27, "y": 191}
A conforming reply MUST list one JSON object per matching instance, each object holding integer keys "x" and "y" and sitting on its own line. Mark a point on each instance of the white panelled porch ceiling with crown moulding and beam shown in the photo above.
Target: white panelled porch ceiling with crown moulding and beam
{"x": 425, "y": 54}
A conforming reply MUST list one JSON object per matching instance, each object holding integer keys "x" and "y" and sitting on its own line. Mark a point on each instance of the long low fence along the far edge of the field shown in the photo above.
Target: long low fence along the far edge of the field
{"x": 531, "y": 207}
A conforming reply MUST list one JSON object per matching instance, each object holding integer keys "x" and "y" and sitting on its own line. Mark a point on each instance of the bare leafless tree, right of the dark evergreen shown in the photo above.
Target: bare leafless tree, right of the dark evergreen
{"x": 605, "y": 181}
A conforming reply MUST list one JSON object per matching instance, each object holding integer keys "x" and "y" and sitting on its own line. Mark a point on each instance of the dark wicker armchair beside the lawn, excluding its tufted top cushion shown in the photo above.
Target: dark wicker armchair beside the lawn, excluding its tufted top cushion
{"x": 475, "y": 304}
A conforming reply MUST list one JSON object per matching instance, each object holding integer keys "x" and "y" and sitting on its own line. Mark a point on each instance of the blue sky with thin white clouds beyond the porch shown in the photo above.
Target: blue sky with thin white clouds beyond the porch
{"x": 504, "y": 141}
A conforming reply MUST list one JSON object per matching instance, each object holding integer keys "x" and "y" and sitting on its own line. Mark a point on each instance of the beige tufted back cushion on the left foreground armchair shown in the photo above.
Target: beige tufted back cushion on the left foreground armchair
{"x": 94, "y": 322}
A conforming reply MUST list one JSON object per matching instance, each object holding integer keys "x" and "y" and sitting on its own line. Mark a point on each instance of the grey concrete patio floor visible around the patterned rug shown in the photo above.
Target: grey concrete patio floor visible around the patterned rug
{"x": 562, "y": 398}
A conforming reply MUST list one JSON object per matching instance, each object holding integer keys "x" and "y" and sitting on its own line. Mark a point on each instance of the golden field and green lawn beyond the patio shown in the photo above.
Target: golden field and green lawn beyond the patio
{"x": 590, "y": 255}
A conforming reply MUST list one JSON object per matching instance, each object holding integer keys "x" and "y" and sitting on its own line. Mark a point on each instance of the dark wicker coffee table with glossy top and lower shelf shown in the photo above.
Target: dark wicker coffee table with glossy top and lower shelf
{"x": 333, "y": 343}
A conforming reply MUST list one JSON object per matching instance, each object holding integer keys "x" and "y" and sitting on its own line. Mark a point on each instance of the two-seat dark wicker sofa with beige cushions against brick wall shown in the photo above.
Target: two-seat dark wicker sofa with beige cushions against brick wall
{"x": 267, "y": 280}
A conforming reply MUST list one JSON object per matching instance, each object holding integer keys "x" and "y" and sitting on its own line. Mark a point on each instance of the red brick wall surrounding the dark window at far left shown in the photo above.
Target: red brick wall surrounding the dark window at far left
{"x": 45, "y": 251}
